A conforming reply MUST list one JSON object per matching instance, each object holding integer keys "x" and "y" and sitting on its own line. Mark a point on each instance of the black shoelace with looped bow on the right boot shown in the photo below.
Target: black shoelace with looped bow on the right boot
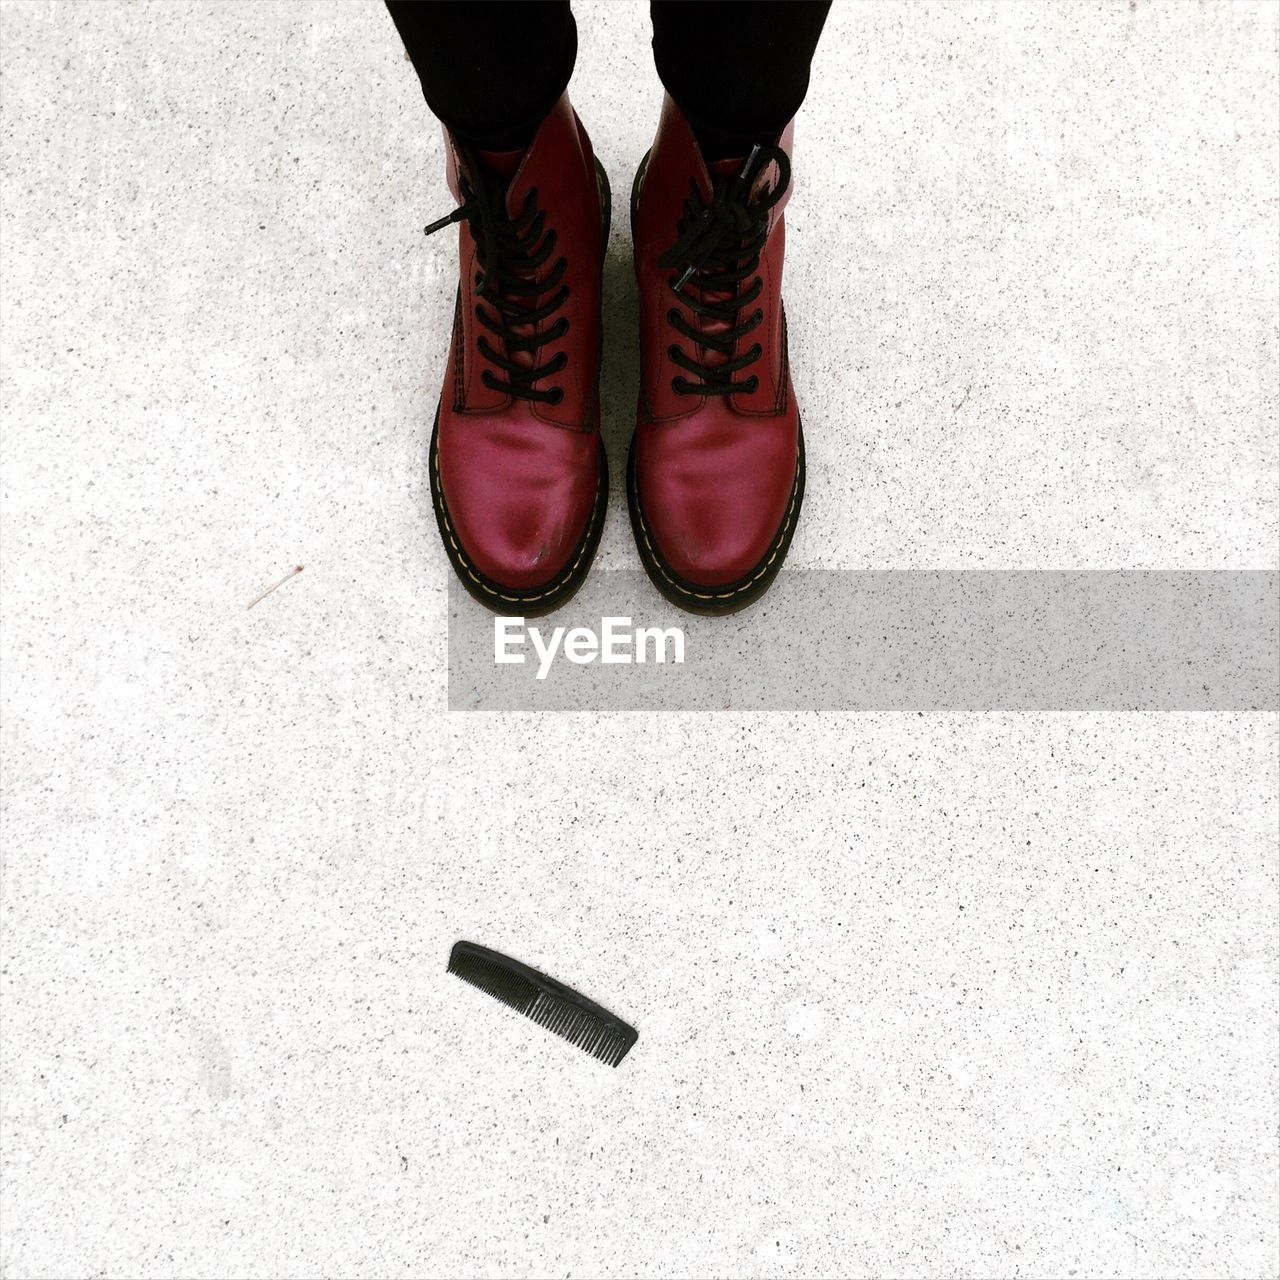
{"x": 719, "y": 249}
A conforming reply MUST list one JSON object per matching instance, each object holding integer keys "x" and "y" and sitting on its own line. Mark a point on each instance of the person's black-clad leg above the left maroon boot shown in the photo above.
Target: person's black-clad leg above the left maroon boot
{"x": 491, "y": 72}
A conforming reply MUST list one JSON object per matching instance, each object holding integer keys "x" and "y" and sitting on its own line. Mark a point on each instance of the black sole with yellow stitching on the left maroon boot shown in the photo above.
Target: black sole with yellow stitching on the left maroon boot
{"x": 561, "y": 589}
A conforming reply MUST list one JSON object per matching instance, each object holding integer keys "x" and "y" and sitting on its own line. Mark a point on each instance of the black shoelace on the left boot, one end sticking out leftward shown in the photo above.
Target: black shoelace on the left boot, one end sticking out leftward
{"x": 510, "y": 252}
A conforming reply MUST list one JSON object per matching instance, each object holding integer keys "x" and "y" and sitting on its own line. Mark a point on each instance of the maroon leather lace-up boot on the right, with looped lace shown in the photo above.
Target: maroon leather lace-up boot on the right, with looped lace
{"x": 716, "y": 476}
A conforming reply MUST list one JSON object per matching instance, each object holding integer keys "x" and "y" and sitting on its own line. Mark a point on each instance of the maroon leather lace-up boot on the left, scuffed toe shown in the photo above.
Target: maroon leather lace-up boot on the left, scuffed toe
{"x": 519, "y": 478}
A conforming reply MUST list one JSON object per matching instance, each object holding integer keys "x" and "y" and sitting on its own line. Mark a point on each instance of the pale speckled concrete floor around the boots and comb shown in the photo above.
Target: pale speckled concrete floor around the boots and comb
{"x": 918, "y": 996}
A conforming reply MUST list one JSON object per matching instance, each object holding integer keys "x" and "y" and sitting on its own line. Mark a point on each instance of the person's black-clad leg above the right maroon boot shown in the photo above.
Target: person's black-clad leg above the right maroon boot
{"x": 738, "y": 71}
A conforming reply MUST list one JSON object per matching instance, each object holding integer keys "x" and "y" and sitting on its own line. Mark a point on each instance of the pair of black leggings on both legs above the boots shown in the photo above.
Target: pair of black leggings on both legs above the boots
{"x": 491, "y": 72}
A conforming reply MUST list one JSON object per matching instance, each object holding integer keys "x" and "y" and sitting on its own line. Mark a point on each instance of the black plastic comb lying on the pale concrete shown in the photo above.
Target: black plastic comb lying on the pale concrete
{"x": 550, "y": 1003}
